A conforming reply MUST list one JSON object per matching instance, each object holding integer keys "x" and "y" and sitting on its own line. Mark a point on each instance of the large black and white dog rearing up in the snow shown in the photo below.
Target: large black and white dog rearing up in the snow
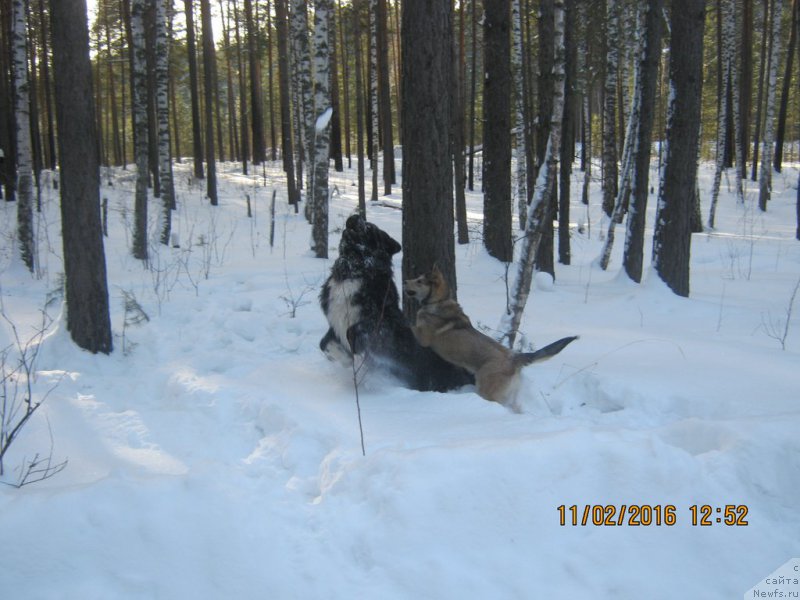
{"x": 361, "y": 303}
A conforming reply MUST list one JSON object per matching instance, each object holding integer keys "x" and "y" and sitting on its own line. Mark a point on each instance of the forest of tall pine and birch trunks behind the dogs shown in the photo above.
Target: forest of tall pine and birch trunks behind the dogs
{"x": 519, "y": 85}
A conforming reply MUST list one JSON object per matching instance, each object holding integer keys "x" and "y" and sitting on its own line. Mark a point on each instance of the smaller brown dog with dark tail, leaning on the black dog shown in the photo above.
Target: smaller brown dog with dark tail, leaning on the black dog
{"x": 443, "y": 326}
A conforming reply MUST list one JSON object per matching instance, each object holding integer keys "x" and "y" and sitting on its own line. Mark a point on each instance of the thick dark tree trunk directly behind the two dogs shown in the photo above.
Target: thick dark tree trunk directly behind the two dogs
{"x": 426, "y": 48}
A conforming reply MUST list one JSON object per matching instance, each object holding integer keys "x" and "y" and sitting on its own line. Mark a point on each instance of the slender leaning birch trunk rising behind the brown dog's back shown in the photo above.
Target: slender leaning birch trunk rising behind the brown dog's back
{"x": 540, "y": 208}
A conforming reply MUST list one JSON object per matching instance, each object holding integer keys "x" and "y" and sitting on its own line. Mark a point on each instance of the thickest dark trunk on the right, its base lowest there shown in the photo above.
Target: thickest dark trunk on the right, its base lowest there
{"x": 672, "y": 243}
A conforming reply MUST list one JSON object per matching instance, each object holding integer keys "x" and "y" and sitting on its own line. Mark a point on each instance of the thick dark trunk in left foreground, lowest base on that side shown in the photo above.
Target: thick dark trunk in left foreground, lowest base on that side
{"x": 88, "y": 318}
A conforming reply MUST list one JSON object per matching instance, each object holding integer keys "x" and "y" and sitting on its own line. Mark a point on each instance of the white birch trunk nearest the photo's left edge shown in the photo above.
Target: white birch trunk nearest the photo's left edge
{"x": 23, "y": 122}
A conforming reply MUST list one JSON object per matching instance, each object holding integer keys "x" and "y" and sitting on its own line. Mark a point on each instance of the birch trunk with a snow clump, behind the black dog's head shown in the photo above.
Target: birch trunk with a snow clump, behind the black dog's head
{"x": 323, "y": 110}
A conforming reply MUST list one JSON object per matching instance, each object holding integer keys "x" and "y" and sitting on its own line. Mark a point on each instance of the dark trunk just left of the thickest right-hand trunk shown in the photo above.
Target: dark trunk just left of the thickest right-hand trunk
{"x": 634, "y": 240}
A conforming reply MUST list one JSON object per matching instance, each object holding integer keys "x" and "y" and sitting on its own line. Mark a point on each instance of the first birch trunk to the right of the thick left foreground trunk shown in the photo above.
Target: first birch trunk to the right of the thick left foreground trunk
{"x": 140, "y": 138}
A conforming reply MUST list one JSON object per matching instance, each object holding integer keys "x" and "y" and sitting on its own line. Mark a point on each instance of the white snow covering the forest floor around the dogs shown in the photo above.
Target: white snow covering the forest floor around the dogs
{"x": 216, "y": 452}
